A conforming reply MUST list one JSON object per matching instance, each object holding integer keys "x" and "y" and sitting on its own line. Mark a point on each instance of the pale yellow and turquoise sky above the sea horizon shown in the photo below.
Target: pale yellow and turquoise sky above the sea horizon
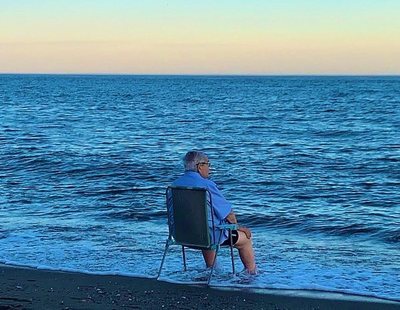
{"x": 260, "y": 37}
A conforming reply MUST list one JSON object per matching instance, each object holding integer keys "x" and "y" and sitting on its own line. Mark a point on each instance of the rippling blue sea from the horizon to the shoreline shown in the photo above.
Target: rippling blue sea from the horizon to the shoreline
{"x": 311, "y": 164}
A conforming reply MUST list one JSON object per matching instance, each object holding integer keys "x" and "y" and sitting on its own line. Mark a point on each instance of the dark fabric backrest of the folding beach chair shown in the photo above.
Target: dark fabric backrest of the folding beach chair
{"x": 188, "y": 216}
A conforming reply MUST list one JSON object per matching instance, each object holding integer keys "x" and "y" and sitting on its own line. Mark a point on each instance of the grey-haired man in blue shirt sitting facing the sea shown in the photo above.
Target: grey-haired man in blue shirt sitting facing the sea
{"x": 197, "y": 170}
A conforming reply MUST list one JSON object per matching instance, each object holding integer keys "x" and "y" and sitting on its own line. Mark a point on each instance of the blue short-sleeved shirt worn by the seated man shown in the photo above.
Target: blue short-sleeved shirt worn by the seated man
{"x": 221, "y": 206}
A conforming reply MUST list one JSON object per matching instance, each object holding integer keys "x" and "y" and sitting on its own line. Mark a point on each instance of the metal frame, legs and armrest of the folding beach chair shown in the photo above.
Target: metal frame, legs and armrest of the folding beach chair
{"x": 210, "y": 246}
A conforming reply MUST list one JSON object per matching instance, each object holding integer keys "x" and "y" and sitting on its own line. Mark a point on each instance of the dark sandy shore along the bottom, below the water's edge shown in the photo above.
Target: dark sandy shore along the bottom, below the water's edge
{"x": 23, "y": 288}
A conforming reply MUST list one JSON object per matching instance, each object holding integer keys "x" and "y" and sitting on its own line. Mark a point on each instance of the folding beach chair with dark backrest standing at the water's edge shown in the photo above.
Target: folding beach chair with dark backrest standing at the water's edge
{"x": 190, "y": 223}
